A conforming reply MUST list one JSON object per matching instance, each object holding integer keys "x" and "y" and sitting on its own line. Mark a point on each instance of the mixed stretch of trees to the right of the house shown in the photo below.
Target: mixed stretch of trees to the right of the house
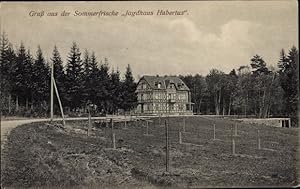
{"x": 251, "y": 90}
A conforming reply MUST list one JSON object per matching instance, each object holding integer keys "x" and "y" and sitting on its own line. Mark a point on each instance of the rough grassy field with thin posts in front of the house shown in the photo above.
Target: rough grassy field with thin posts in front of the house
{"x": 42, "y": 154}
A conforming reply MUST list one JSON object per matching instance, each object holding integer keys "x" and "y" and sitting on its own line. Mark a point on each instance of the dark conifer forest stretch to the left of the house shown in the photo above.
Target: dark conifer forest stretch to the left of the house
{"x": 83, "y": 81}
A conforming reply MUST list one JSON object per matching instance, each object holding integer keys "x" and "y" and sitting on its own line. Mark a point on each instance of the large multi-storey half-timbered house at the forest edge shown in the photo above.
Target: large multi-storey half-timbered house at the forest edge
{"x": 163, "y": 95}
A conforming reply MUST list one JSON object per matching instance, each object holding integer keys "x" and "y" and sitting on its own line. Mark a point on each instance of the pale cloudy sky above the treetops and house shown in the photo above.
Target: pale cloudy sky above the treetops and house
{"x": 217, "y": 34}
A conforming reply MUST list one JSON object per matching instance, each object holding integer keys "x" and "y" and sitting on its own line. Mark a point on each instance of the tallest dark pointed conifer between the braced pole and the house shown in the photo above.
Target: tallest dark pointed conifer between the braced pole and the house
{"x": 74, "y": 78}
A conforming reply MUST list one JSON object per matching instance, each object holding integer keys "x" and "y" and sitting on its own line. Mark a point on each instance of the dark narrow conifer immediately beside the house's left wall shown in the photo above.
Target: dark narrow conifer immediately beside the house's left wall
{"x": 129, "y": 96}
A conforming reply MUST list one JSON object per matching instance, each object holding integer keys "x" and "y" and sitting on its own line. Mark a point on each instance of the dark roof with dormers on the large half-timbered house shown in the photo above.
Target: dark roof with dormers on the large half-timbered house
{"x": 165, "y": 81}
